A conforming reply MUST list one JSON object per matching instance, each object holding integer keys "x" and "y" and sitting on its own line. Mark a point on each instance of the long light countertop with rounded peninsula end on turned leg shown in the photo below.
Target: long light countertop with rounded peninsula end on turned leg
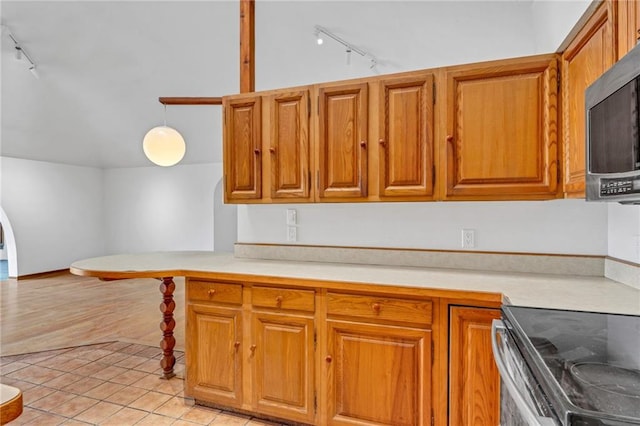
{"x": 540, "y": 290}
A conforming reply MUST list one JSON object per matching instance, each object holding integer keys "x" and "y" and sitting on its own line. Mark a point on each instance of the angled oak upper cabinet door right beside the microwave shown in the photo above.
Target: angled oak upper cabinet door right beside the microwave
{"x": 588, "y": 56}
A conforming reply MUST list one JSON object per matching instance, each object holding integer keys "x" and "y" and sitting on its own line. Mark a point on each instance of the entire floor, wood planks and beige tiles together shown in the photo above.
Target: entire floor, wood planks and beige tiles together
{"x": 85, "y": 352}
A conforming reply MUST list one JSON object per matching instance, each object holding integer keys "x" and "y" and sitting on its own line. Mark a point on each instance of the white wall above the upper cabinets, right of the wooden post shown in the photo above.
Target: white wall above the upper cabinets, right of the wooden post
{"x": 402, "y": 35}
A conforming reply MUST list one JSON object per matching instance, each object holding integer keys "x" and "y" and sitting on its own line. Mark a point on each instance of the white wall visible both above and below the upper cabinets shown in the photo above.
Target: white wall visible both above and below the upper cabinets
{"x": 405, "y": 36}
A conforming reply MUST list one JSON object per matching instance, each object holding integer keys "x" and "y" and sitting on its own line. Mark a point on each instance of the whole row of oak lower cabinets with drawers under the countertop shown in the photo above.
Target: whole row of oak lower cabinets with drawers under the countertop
{"x": 348, "y": 354}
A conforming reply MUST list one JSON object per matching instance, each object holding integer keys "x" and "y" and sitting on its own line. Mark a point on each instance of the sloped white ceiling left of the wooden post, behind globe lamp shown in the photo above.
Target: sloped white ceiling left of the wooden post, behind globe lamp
{"x": 102, "y": 67}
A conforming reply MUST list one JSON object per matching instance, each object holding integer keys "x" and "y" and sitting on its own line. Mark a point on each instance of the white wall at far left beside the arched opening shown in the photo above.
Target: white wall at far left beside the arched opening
{"x": 55, "y": 212}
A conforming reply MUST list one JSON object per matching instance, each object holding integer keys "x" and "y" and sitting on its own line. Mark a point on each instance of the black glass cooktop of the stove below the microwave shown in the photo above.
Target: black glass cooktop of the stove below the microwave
{"x": 589, "y": 362}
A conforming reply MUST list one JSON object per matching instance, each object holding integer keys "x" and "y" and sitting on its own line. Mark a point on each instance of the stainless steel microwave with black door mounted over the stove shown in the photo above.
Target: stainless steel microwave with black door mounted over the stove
{"x": 613, "y": 133}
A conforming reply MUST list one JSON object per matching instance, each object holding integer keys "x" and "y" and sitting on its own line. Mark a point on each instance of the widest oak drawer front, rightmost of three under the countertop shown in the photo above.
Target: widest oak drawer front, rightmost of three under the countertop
{"x": 385, "y": 308}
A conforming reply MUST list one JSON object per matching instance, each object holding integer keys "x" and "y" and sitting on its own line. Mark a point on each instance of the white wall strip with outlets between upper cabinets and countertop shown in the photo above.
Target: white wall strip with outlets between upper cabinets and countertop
{"x": 564, "y": 226}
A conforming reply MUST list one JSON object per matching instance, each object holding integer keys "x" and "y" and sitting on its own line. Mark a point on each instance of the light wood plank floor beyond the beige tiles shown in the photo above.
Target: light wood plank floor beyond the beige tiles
{"x": 63, "y": 310}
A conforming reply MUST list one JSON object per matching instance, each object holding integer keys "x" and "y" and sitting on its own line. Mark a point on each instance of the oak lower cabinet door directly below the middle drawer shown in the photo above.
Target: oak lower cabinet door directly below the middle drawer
{"x": 283, "y": 366}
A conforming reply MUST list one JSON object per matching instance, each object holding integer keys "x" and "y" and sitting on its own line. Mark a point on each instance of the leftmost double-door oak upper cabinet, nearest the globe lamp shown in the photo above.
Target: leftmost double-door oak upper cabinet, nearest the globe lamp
{"x": 266, "y": 147}
